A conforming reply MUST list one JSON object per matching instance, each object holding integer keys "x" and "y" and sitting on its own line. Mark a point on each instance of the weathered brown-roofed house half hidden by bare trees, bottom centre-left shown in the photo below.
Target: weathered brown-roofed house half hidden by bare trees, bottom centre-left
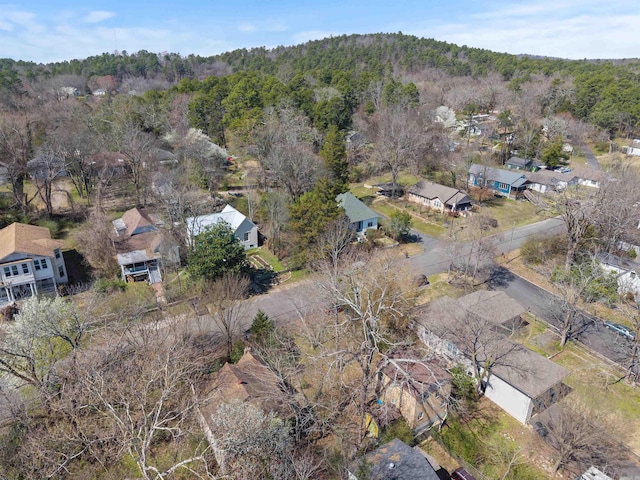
{"x": 250, "y": 380}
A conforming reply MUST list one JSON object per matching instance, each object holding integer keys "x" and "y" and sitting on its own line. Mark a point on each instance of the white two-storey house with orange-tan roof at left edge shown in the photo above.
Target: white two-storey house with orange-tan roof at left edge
{"x": 31, "y": 262}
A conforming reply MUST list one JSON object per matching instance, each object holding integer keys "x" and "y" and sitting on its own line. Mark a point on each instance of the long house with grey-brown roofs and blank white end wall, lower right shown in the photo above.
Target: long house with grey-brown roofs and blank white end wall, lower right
{"x": 521, "y": 382}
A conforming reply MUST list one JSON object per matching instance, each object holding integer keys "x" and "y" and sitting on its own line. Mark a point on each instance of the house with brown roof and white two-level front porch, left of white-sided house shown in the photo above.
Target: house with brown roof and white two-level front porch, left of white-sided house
{"x": 140, "y": 246}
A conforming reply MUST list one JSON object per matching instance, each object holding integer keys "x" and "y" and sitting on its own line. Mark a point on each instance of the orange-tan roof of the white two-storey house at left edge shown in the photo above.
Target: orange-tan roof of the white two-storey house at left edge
{"x": 28, "y": 239}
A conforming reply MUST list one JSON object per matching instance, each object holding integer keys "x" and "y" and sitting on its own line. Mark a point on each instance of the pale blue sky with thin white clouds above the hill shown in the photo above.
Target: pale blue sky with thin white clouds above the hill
{"x": 50, "y": 30}
